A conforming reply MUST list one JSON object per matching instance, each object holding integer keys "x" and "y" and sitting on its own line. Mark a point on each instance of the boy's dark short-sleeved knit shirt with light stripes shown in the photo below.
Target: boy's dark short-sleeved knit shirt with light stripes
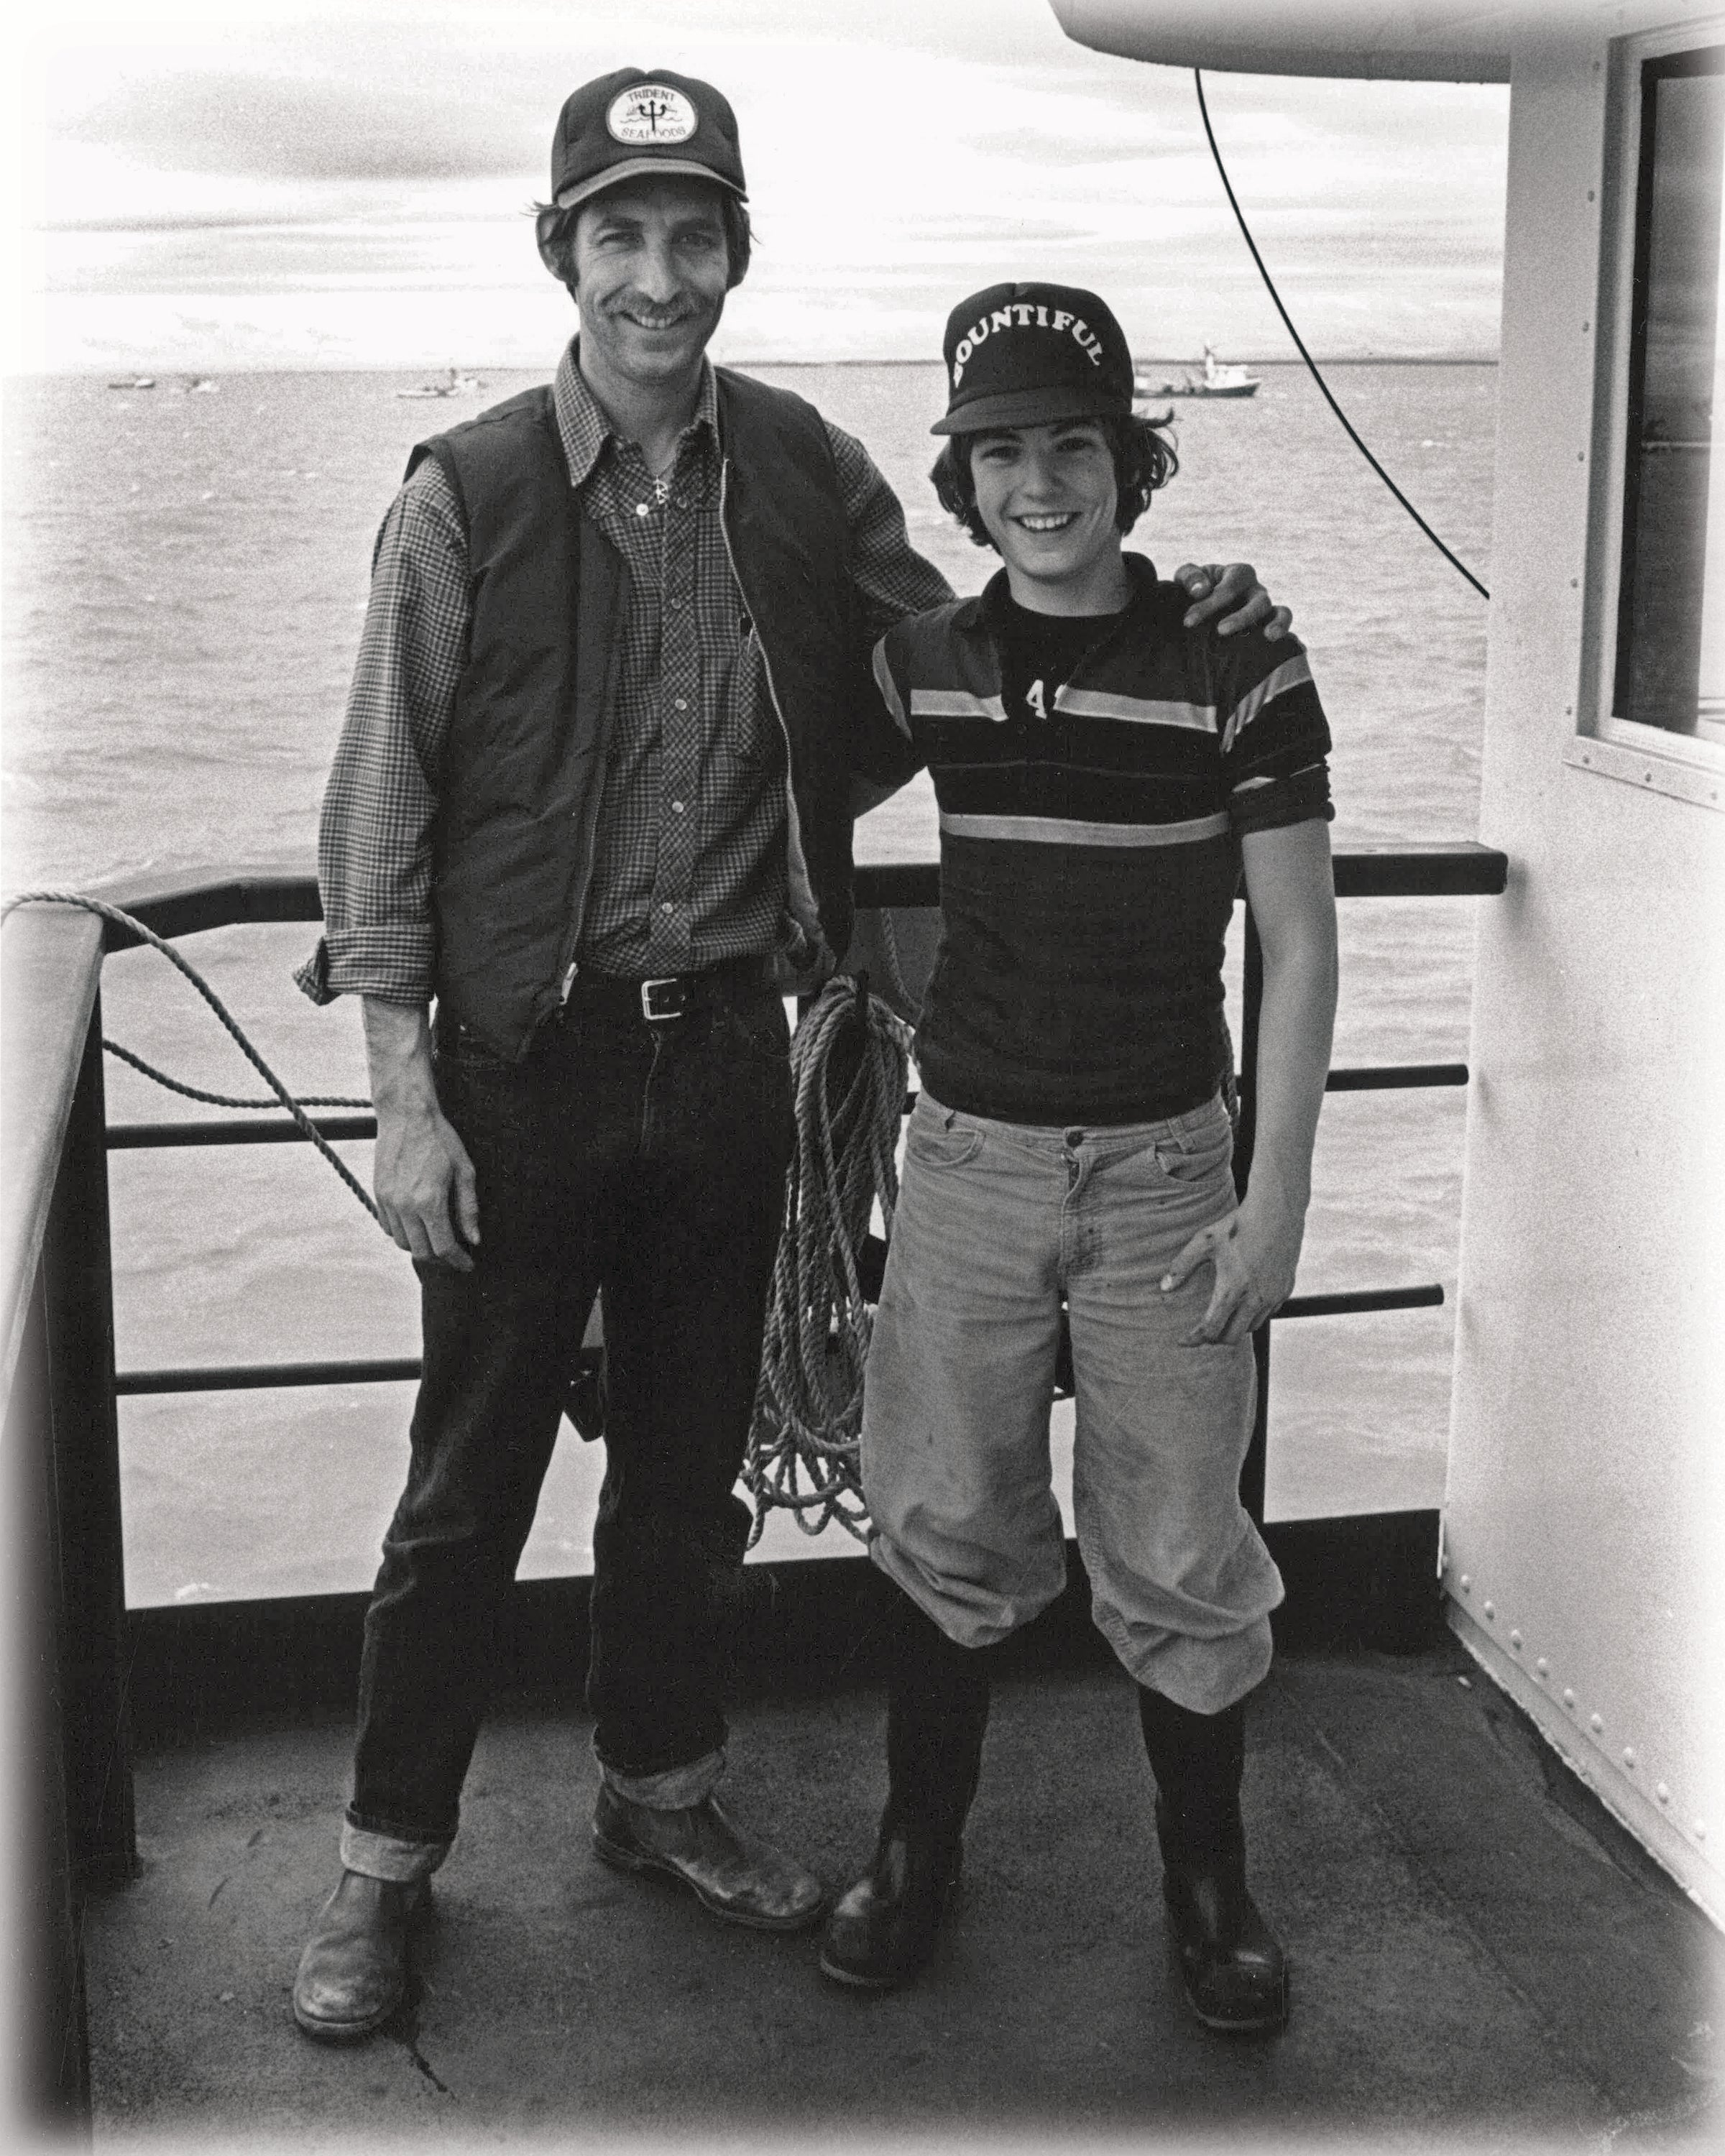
{"x": 1090, "y": 851}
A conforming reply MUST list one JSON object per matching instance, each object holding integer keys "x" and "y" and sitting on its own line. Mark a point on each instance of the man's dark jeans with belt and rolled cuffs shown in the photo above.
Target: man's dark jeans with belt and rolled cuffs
{"x": 648, "y": 1163}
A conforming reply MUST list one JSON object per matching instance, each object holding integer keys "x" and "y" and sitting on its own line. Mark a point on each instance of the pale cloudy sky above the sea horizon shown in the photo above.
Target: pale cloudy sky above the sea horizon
{"x": 348, "y": 182}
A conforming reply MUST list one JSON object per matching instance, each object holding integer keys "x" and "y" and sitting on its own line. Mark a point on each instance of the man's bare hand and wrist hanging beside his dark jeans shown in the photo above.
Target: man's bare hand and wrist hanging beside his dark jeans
{"x": 422, "y": 1172}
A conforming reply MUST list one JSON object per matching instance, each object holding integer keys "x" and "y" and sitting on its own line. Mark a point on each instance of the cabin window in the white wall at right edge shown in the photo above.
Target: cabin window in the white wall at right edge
{"x": 1670, "y": 665}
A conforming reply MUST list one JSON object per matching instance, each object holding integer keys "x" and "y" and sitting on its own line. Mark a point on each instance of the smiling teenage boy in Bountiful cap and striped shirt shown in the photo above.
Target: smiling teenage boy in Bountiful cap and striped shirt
{"x": 1105, "y": 775}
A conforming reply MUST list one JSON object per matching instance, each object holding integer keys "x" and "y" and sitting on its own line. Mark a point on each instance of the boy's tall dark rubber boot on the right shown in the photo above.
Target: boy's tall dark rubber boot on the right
{"x": 1230, "y": 1963}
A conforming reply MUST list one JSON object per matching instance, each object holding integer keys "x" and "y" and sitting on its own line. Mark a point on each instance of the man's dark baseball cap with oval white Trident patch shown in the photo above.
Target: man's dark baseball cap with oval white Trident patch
{"x": 644, "y": 122}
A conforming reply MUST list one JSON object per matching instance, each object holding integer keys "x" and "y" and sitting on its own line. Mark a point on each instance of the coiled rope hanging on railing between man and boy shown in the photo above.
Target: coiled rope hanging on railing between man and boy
{"x": 803, "y": 1448}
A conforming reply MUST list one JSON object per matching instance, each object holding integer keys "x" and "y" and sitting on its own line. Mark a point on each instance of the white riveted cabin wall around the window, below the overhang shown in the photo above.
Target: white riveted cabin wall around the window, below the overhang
{"x": 1586, "y": 1489}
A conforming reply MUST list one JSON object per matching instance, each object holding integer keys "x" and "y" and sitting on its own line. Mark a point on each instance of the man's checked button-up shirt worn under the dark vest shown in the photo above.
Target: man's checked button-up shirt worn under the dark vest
{"x": 691, "y": 846}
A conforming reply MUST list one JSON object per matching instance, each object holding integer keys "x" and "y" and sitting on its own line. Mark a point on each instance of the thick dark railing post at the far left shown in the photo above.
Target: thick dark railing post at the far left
{"x": 85, "y": 1491}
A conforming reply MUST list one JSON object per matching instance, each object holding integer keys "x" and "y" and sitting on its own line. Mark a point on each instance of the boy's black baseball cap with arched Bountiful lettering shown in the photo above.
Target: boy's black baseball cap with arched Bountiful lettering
{"x": 1025, "y": 355}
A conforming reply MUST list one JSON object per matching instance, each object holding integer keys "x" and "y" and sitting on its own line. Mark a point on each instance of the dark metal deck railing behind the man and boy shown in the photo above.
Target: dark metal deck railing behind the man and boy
{"x": 64, "y": 1515}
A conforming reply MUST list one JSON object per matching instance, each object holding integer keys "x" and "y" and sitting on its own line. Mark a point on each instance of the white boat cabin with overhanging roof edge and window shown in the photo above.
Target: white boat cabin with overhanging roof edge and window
{"x": 1588, "y": 1426}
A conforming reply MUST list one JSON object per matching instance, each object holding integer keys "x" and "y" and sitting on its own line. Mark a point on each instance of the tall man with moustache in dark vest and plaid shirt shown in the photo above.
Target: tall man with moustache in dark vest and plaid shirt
{"x": 611, "y": 715}
